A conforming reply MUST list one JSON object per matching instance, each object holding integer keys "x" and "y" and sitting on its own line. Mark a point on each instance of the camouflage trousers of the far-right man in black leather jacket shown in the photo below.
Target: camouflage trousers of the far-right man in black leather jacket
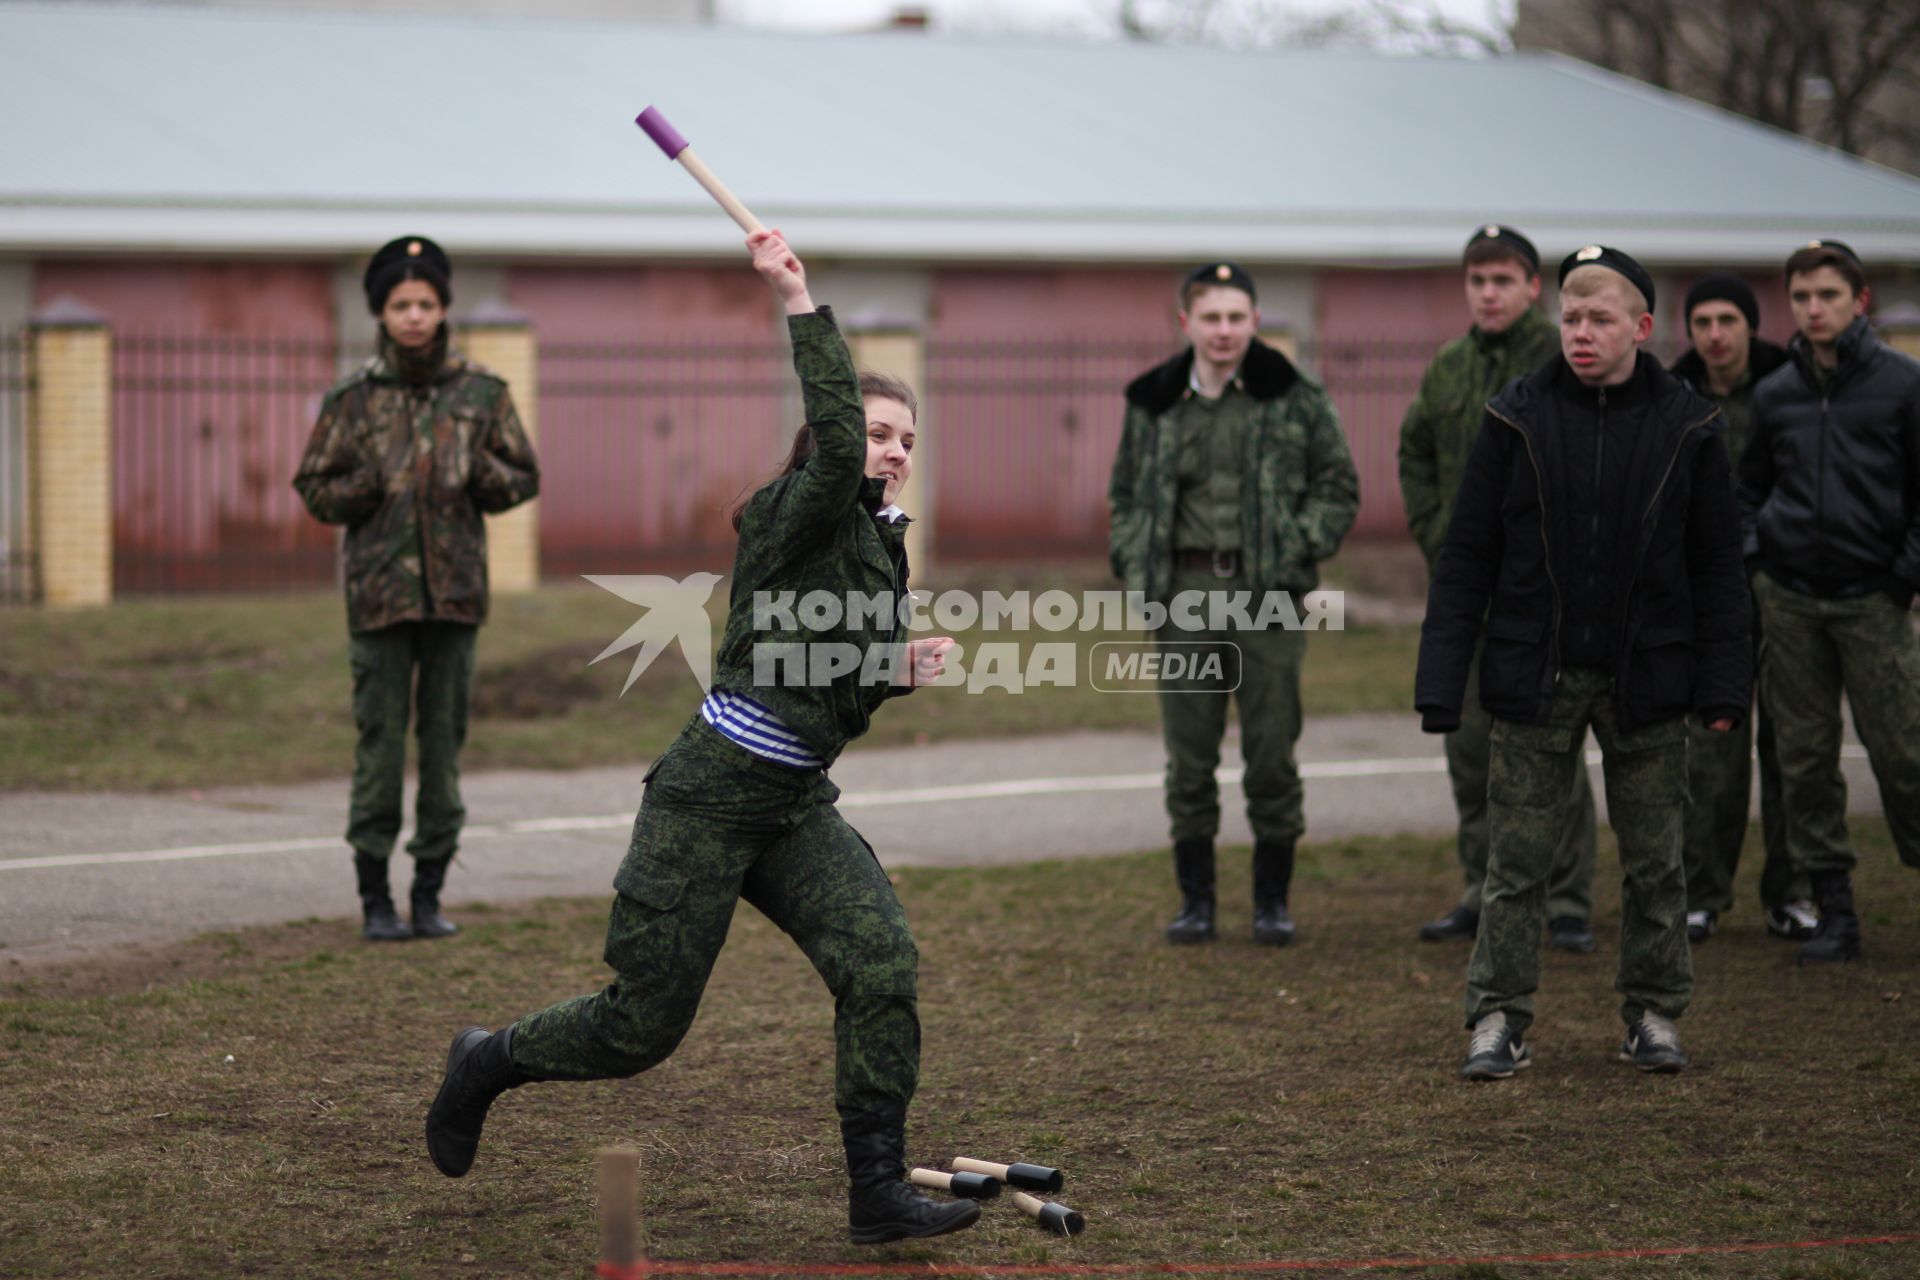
{"x": 1815, "y": 652}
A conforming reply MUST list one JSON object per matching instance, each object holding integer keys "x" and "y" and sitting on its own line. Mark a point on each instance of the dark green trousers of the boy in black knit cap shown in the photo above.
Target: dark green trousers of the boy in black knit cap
{"x": 1719, "y": 782}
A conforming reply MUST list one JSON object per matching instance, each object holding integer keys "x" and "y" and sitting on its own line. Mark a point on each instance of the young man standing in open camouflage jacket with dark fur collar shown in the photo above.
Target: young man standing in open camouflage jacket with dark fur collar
{"x": 1234, "y": 477}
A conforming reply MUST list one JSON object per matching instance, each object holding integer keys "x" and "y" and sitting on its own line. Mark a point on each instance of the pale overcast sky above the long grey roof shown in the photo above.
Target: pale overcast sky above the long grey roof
{"x": 1090, "y": 18}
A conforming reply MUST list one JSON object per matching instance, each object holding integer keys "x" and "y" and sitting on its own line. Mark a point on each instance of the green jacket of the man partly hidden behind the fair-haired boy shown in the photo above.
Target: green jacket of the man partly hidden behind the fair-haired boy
{"x": 1445, "y": 417}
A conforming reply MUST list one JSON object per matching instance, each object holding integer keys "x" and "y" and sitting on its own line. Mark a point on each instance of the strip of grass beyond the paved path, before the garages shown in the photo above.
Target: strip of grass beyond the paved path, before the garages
{"x": 224, "y": 692}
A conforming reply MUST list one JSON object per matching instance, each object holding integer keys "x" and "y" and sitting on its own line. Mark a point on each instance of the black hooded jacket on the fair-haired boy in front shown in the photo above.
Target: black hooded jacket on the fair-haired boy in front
{"x": 1677, "y": 611}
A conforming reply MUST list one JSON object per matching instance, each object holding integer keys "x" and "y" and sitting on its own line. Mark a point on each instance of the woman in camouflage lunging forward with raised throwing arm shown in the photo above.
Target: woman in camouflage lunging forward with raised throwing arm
{"x": 740, "y": 807}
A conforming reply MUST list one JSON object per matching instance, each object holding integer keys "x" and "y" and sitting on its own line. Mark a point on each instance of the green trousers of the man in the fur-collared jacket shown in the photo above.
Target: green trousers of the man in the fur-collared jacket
{"x": 1260, "y": 673}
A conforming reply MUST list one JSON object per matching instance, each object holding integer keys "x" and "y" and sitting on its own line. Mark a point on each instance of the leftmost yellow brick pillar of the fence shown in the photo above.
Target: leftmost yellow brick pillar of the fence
{"x": 70, "y": 454}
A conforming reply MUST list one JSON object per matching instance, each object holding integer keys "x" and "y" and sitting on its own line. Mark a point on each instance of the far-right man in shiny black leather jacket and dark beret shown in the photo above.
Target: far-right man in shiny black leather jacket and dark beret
{"x": 1831, "y": 498}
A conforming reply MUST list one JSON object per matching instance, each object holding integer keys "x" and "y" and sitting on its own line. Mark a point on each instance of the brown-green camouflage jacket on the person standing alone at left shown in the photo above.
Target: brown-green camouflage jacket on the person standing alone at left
{"x": 412, "y": 465}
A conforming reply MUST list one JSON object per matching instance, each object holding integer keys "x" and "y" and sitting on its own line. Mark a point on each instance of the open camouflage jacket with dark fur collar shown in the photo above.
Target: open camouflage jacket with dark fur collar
{"x": 1299, "y": 488}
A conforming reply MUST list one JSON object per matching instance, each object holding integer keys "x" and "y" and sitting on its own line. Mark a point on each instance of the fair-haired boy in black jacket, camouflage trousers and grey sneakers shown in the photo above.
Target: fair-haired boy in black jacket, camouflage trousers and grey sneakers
{"x": 1596, "y": 542}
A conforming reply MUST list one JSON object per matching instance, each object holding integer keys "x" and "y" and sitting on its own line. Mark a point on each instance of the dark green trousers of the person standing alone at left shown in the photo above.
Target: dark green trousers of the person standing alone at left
{"x": 425, "y": 669}
